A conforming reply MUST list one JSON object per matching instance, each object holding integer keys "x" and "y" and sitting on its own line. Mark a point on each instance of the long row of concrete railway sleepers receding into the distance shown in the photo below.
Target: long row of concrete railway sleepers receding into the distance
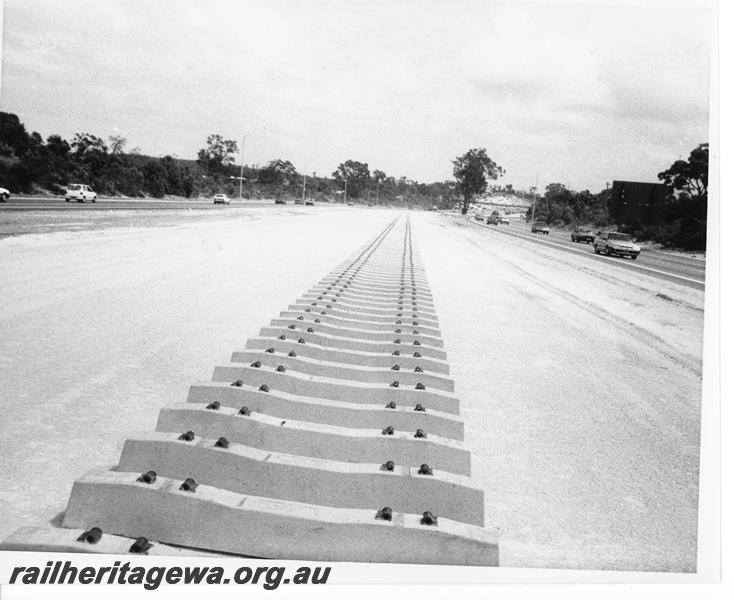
{"x": 333, "y": 435}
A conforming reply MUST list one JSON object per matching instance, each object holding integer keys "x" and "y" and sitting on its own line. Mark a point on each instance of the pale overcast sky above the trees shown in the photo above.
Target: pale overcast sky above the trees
{"x": 581, "y": 93}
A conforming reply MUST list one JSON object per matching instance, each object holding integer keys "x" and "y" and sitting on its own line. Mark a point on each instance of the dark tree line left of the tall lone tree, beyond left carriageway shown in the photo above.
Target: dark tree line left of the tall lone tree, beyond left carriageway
{"x": 29, "y": 163}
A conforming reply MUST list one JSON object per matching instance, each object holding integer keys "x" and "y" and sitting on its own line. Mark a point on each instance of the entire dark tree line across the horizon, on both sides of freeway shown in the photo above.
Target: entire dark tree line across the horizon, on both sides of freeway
{"x": 28, "y": 163}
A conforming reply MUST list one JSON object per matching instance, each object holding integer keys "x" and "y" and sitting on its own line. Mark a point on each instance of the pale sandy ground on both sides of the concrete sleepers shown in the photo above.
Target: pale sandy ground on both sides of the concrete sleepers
{"x": 580, "y": 386}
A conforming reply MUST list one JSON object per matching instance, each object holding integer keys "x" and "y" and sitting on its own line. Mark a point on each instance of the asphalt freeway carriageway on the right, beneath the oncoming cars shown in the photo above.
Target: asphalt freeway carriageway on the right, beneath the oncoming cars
{"x": 686, "y": 271}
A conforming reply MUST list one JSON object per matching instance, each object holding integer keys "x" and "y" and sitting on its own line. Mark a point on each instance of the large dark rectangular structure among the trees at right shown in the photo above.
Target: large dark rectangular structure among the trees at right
{"x": 637, "y": 202}
